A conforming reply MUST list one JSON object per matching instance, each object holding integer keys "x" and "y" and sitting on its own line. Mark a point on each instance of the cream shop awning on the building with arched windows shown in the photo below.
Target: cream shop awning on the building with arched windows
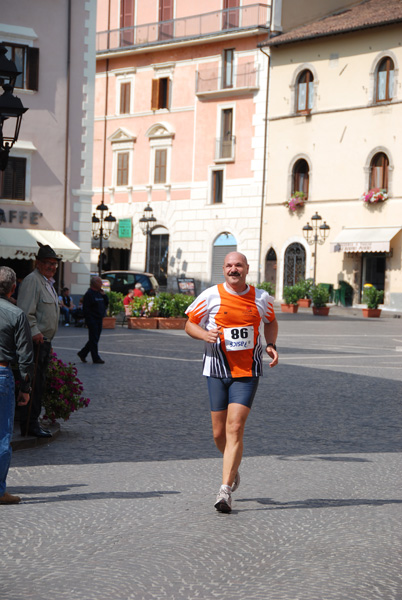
{"x": 364, "y": 239}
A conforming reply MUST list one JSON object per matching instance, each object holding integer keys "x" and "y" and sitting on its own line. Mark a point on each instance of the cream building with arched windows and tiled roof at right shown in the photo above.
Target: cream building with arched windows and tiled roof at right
{"x": 335, "y": 118}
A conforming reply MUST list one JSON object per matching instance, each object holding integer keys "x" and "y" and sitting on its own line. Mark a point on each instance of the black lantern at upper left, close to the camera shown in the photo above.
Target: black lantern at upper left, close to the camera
{"x": 10, "y": 106}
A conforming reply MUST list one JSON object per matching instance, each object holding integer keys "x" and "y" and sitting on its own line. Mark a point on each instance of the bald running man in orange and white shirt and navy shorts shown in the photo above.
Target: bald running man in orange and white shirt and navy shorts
{"x": 227, "y": 317}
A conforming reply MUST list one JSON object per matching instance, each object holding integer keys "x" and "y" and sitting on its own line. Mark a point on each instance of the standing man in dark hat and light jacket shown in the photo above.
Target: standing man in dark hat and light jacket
{"x": 39, "y": 301}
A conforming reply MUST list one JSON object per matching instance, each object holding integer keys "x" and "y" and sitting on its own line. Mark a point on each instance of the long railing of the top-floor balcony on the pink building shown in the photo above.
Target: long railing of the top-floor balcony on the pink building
{"x": 203, "y": 25}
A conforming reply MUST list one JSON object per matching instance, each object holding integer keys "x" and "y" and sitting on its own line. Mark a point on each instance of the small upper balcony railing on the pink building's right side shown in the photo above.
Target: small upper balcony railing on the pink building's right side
{"x": 213, "y": 79}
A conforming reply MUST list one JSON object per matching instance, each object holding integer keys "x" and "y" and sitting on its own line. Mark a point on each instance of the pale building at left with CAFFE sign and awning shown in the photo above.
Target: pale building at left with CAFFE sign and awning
{"x": 46, "y": 190}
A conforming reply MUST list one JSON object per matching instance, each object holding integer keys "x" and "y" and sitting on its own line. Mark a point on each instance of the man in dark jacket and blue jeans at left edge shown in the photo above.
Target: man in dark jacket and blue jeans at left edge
{"x": 15, "y": 342}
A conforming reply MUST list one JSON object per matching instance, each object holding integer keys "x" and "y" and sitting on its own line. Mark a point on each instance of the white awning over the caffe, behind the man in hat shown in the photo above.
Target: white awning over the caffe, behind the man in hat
{"x": 22, "y": 244}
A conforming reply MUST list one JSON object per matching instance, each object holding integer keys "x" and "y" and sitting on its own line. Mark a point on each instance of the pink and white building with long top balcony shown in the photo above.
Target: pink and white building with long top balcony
{"x": 179, "y": 126}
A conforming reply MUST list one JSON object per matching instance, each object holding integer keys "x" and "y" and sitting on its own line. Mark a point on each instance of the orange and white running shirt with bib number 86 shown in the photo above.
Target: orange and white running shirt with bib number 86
{"x": 237, "y": 351}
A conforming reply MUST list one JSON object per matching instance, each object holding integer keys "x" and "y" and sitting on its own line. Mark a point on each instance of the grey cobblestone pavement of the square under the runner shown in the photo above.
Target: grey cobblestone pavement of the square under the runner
{"x": 120, "y": 506}
